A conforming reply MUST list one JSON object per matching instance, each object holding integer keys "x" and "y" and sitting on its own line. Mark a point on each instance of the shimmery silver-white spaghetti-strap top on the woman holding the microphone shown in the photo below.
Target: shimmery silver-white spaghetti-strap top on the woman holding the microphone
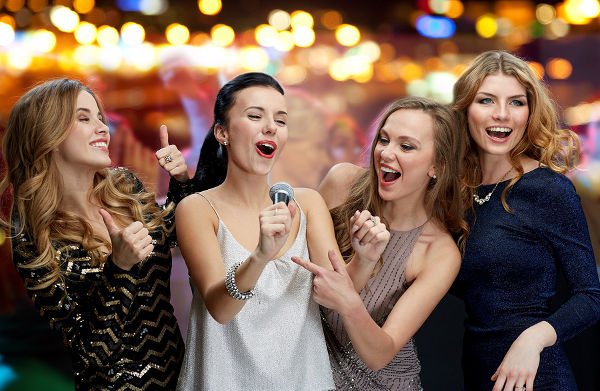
{"x": 274, "y": 343}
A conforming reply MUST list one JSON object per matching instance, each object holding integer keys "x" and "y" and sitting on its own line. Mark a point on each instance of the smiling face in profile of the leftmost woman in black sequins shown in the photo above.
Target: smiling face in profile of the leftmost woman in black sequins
{"x": 86, "y": 146}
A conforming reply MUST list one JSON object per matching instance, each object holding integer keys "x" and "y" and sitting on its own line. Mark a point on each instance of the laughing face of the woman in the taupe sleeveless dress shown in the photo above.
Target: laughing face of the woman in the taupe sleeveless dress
{"x": 404, "y": 155}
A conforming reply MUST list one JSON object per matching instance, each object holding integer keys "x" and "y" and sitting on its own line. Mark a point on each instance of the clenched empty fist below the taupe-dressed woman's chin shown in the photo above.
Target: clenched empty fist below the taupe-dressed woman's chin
{"x": 369, "y": 235}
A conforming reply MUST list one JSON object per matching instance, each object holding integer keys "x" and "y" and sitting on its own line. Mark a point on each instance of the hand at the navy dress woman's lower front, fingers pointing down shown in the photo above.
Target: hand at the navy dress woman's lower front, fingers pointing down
{"x": 520, "y": 364}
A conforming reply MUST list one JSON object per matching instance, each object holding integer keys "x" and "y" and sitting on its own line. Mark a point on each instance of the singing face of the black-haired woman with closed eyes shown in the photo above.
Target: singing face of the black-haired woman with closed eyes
{"x": 256, "y": 129}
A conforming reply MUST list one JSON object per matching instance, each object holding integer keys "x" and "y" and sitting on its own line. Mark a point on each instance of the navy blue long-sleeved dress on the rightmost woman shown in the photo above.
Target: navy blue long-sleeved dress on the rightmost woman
{"x": 508, "y": 276}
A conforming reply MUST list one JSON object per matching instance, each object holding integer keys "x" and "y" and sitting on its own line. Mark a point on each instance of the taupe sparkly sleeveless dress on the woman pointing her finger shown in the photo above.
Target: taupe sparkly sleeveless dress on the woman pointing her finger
{"x": 382, "y": 293}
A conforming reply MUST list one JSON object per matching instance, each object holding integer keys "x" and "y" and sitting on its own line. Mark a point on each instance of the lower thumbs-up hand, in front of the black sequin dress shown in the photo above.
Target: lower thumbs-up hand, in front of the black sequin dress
{"x": 130, "y": 245}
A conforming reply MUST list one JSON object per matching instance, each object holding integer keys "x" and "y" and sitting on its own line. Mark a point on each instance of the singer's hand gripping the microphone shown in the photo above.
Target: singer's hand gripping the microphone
{"x": 275, "y": 225}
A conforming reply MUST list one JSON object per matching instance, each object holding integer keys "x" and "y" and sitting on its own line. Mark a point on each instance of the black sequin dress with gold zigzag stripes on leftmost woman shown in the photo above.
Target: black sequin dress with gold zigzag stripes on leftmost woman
{"x": 118, "y": 325}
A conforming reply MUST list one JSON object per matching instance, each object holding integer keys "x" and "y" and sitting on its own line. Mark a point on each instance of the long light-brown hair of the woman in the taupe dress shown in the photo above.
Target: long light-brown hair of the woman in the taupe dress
{"x": 443, "y": 200}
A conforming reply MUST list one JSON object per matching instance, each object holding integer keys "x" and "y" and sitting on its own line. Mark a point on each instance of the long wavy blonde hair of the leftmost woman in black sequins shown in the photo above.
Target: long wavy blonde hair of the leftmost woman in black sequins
{"x": 38, "y": 123}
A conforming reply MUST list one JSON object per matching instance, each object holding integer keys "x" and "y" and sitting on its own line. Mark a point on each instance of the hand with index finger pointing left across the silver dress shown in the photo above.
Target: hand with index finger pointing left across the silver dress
{"x": 332, "y": 288}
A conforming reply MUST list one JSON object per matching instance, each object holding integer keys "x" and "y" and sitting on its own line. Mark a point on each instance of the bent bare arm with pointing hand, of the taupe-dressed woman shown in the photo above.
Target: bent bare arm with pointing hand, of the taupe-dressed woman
{"x": 377, "y": 346}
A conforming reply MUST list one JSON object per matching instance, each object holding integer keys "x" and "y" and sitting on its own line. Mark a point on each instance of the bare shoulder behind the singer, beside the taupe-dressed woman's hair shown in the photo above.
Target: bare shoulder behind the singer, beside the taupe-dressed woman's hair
{"x": 336, "y": 184}
